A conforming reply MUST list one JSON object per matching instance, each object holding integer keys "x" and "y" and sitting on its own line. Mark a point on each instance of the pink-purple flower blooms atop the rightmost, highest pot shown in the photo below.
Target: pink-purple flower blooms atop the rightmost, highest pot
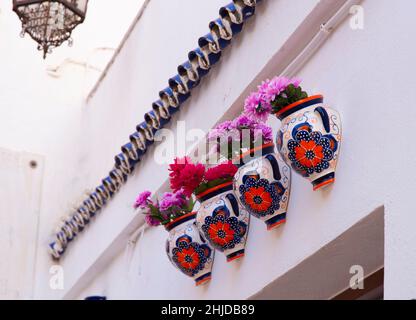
{"x": 258, "y": 104}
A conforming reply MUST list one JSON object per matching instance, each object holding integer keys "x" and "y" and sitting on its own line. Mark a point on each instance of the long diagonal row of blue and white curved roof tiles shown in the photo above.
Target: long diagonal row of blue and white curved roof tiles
{"x": 190, "y": 74}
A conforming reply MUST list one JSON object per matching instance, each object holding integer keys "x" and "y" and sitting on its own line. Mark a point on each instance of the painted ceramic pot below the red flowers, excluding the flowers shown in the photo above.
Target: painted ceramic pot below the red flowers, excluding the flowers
{"x": 223, "y": 222}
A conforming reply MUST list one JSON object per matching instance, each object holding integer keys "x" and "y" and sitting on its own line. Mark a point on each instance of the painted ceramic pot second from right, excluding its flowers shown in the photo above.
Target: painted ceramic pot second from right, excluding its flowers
{"x": 262, "y": 185}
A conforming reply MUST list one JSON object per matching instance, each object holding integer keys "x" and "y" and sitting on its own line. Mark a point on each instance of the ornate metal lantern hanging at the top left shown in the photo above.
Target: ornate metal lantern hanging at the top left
{"x": 50, "y": 22}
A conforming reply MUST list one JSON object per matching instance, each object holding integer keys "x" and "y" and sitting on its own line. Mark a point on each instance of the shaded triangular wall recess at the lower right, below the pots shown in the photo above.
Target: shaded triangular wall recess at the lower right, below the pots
{"x": 357, "y": 253}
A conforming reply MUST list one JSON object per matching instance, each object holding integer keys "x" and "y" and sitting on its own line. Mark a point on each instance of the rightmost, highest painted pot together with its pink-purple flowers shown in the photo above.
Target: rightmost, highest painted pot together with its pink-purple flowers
{"x": 310, "y": 135}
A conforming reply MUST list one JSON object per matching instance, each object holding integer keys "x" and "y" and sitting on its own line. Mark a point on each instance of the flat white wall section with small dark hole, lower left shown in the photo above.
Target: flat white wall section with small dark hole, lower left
{"x": 21, "y": 179}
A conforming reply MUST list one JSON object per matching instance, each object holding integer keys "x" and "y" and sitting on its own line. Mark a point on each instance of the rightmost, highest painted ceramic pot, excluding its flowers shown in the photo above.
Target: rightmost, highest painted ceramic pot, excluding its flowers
{"x": 309, "y": 139}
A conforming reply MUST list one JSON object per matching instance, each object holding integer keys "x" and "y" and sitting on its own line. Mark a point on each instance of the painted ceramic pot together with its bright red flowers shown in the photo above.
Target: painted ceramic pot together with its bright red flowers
{"x": 223, "y": 223}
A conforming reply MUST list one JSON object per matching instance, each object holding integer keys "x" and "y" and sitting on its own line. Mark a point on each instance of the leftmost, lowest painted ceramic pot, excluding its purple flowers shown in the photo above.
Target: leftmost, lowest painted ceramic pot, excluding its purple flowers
{"x": 188, "y": 250}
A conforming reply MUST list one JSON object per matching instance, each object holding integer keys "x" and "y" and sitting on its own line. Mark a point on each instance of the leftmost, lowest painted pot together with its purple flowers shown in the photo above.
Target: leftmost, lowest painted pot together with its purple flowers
{"x": 186, "y": 247}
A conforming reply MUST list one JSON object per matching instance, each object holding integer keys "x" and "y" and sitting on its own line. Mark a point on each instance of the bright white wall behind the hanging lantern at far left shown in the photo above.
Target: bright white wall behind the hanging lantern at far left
{"x": 41, "y": 104}
